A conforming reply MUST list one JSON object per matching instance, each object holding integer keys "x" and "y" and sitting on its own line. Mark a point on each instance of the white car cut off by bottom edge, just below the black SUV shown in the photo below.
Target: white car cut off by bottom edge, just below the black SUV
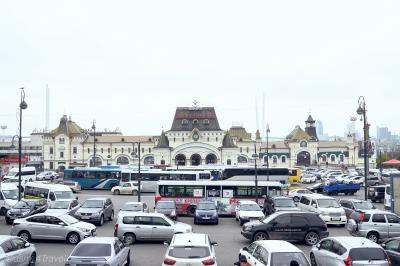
{"x": 272, "y": 252}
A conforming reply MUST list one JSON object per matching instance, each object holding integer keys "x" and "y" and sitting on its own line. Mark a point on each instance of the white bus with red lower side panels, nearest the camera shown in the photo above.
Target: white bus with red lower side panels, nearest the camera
{"x": 225, "y": 194}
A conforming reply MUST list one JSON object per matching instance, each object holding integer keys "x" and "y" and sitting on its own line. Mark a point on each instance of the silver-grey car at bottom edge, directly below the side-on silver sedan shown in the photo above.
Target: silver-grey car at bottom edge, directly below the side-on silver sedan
{"x": 108, "y": 251}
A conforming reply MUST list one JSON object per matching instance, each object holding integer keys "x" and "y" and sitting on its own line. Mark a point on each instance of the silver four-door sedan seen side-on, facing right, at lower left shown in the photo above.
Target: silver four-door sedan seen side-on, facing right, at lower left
{"x": 52, "y": 227}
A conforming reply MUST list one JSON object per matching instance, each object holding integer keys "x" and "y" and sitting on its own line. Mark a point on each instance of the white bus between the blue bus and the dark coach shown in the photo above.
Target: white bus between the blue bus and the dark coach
{"x": 149, "y": 178}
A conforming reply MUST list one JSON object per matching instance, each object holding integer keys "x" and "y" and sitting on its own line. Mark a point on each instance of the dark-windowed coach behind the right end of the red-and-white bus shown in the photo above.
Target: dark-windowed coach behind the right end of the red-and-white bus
{"x": 263, "y": 174}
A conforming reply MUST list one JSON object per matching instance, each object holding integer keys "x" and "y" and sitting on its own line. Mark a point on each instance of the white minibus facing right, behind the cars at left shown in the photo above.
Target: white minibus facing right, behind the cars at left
{"x": 51, "y": 192}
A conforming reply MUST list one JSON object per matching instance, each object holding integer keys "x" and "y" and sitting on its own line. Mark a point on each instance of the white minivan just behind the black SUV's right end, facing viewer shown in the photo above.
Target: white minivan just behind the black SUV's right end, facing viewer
{"x": 327, "y": 207}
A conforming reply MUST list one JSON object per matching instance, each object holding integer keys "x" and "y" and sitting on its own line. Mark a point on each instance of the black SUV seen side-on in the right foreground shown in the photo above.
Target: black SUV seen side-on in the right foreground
{"x": 289, "y": 226}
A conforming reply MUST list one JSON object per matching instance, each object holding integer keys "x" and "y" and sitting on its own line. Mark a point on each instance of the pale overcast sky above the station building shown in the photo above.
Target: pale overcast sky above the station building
{"x": 129, "y": 65}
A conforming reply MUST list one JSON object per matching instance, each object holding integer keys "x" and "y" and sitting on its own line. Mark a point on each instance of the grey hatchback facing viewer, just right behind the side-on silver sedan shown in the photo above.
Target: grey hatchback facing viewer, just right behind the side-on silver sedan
{"x": 96, "y": 210}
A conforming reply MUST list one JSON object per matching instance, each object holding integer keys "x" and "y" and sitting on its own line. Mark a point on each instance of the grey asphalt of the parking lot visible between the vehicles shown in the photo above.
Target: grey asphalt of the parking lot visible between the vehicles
{"x": 226, "y": 234}
